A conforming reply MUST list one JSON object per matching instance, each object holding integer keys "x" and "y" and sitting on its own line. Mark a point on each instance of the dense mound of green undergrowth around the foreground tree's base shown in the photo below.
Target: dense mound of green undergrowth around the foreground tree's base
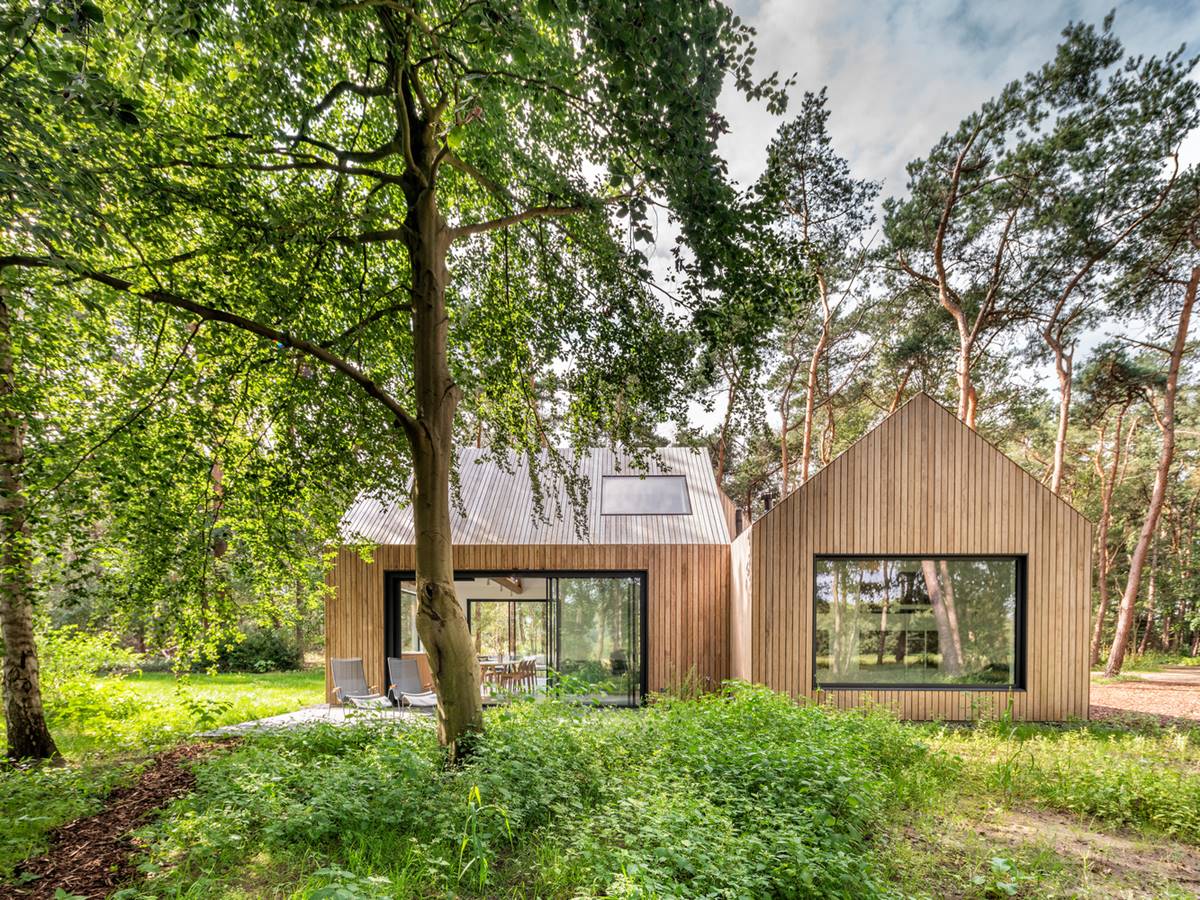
{"x": 736, "y": 795}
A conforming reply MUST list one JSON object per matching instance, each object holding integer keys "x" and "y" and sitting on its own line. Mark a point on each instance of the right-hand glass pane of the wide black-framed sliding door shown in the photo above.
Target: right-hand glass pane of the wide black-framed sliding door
{"x": 599, "y": 633}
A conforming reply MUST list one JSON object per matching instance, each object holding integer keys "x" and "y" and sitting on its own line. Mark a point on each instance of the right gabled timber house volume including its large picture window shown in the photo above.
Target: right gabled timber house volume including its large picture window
{"x": 923, "y": 571}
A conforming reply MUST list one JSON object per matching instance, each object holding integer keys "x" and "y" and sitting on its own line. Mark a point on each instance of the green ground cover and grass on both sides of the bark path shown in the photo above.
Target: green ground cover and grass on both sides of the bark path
{"x": 746, "y": 795}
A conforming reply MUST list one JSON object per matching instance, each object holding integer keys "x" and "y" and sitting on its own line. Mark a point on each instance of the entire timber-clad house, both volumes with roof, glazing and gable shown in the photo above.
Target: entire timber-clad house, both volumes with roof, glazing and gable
{"x": 922, "y": 569}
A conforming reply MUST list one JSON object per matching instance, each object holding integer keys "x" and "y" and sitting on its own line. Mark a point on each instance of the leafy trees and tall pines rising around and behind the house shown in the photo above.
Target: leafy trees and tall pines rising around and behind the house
{"x": 207, "y": 326}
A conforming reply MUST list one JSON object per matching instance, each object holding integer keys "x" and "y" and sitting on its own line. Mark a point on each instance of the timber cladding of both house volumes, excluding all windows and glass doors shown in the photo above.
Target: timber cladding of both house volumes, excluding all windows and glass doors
{"x": 722, "y": 605}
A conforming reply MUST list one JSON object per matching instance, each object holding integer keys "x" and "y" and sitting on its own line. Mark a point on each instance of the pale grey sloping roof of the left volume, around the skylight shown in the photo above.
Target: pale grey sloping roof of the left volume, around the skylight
{"x": 500, "y": 506}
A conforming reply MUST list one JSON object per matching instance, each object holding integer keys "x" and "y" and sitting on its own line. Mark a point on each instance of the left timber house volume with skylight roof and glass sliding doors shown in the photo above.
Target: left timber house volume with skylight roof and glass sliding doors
{"x": 634, "y": 597}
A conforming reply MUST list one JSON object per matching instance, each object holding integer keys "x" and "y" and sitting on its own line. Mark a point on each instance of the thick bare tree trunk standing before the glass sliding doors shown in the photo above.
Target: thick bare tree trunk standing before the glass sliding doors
{"x": 441, "y": 621}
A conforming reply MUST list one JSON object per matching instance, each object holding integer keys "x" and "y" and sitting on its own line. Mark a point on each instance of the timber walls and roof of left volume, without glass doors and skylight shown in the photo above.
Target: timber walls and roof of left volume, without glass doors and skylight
{"x": 686, "y": 559}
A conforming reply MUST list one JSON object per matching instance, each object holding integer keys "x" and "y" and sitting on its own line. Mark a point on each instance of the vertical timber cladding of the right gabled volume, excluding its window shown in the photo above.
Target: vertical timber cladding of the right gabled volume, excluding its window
{"x": 921, "y": 483}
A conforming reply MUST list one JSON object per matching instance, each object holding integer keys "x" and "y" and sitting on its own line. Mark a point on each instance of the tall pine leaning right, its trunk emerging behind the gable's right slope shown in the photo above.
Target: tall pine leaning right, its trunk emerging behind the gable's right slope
{"x": 1105, "y": 160}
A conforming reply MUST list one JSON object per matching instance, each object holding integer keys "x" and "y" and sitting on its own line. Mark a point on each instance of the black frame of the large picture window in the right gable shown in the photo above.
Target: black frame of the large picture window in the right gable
{"x": 1021, "y": 638}
